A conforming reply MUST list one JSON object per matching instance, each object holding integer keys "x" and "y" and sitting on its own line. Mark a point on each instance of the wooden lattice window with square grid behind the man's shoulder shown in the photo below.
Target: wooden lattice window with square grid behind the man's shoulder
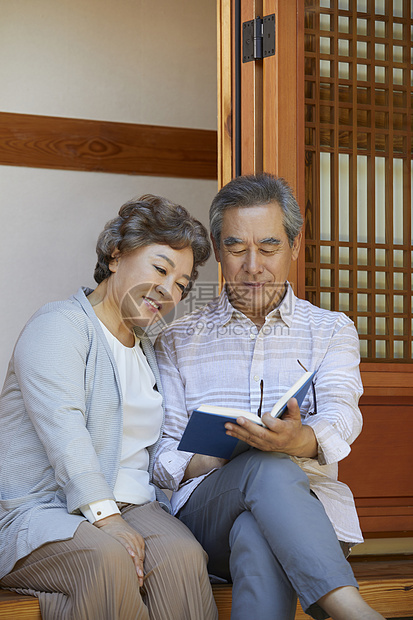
{"x": 358, "y": 136}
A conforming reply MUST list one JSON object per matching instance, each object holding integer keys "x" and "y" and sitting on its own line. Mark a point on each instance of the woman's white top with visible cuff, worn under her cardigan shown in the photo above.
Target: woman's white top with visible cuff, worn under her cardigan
{"x": 142, "y": 418}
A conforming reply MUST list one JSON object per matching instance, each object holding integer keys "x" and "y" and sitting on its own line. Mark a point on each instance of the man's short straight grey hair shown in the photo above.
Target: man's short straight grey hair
{"x": 251, "y": 190}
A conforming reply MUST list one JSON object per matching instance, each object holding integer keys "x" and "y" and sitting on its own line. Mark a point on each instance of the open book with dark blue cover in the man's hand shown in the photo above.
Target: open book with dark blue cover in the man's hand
{"x": 206, "y": 434}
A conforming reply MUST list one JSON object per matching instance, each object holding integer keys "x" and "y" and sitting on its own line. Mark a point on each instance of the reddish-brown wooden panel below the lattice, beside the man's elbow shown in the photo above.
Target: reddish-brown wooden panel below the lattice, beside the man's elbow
{"x": 380, "y": 465}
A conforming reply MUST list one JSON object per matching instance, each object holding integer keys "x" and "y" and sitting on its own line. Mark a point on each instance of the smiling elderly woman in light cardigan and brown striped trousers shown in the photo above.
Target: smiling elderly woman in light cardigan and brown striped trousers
{"x": 81, "y": 413}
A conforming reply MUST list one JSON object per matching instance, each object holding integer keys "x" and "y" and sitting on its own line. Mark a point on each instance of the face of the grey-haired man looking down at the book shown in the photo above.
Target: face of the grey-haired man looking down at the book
{"x": 255, "y": 257}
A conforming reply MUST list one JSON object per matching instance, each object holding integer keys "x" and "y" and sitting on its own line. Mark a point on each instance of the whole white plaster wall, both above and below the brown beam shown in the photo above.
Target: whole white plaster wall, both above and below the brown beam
{"x": 93, "y": 59}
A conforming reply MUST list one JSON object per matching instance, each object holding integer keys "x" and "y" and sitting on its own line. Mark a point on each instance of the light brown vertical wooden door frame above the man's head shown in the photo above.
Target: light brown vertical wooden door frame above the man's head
{"x": 287, "y": 65}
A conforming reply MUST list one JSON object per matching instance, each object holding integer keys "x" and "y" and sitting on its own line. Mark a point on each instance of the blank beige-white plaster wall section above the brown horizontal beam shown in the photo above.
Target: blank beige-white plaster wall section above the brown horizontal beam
{"x": 138, "y": 61}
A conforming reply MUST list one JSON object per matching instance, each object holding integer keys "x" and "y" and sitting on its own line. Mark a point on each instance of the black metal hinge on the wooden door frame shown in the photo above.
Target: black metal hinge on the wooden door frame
{"x": 258, "y": 38}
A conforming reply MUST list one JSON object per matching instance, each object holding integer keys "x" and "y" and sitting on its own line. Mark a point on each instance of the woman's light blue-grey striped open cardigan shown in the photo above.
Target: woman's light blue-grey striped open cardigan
{"x": 60, "y": 427}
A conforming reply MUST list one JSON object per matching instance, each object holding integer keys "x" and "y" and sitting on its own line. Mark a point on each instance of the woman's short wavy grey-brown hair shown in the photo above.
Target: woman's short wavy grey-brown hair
{"x": 151, "y": 220}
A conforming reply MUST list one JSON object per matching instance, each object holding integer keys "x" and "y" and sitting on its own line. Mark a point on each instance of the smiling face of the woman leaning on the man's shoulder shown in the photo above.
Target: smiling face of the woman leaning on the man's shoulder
{"x": 148, "y": 282}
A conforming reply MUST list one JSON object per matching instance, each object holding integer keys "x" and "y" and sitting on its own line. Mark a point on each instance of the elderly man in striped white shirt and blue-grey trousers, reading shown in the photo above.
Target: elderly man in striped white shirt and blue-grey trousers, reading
{"x": 274, "y": 520}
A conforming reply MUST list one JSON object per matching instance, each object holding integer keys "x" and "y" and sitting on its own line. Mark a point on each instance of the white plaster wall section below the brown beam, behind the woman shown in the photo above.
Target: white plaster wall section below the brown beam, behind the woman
{"x": 48, "y": 234}
